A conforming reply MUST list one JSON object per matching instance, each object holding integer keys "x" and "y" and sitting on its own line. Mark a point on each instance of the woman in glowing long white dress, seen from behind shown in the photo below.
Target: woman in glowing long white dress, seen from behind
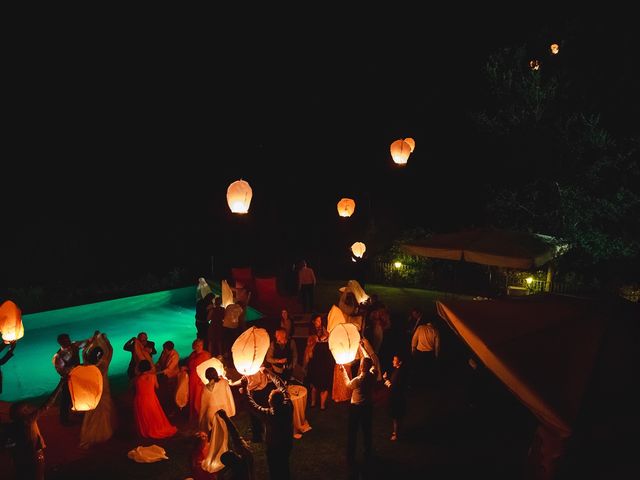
{"x": 216, "y": 395}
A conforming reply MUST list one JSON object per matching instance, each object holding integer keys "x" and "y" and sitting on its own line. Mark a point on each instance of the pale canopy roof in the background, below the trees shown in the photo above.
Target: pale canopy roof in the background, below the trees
{"x": 504, "y": 248}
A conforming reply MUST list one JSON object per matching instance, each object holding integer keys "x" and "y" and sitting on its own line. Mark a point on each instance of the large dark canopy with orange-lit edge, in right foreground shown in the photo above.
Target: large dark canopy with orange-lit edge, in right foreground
{"x": 542, "y": 347}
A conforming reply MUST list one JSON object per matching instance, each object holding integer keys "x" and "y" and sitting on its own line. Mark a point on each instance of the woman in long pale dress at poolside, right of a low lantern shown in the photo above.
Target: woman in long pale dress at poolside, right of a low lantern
{"x": 98, "y": 424}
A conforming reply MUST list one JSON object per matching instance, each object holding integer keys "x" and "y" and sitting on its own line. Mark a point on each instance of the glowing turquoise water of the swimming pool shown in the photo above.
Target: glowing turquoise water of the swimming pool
{"x": 167, "y": 315}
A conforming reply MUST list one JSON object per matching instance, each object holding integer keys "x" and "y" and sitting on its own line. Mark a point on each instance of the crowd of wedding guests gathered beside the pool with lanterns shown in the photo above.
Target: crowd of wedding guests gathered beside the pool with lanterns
{"x": 211, "y": 405}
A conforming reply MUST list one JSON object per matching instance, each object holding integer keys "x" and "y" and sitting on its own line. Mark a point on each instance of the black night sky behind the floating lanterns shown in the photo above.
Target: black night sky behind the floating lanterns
{"x": 122, "y": 140}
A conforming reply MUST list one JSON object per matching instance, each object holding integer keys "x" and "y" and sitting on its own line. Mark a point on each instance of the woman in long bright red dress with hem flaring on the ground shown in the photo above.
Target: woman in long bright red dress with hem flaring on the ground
{"x": 151, "y": 422}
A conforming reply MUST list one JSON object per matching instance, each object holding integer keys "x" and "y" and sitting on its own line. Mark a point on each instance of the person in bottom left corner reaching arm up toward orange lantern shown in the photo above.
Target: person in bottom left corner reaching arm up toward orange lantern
{"x": 23, "y": 436}
